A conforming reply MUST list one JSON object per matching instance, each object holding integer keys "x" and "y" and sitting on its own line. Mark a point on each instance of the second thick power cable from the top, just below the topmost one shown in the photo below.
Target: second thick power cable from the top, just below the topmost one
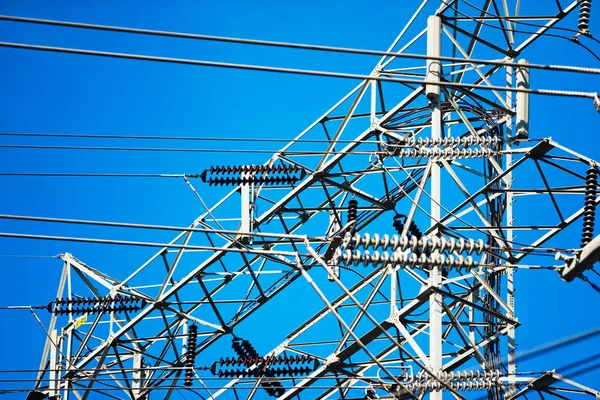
{"x": 293, "y": 71}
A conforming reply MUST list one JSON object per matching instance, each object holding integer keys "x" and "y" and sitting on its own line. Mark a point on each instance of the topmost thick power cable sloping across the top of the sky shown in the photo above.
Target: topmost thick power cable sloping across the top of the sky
{"x": 300, "y": 46}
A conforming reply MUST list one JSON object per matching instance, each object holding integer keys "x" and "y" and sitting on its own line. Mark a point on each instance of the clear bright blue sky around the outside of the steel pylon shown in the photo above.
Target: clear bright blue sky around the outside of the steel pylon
{"x": 59, "y": 93}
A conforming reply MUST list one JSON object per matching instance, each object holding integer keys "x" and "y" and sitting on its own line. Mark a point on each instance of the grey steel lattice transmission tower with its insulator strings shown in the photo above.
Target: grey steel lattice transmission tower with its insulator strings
{"x": 421, "y": 314}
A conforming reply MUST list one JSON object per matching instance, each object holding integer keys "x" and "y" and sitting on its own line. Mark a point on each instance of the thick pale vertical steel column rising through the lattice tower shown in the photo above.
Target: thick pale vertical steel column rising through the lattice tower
{"x": 434, "y": 70}
